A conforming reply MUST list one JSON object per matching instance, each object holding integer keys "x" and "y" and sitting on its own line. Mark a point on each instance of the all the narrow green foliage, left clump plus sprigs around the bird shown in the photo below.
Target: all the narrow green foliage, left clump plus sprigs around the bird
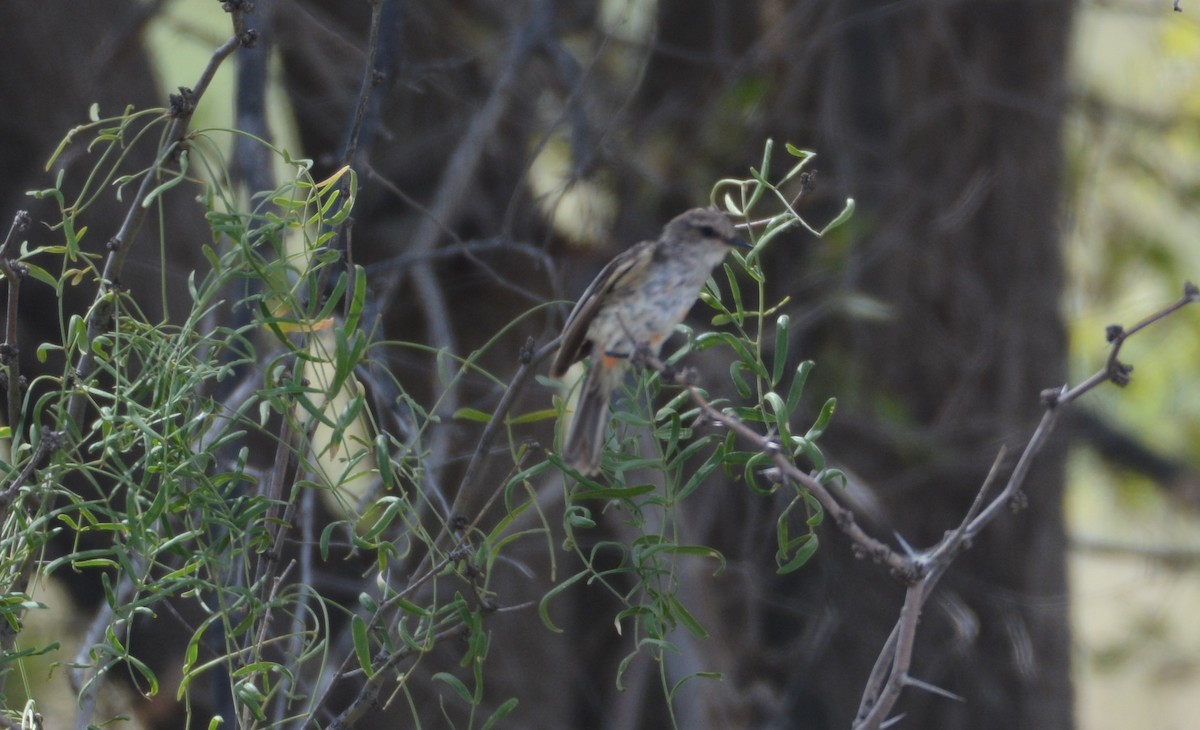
{"x": 183, "y": 459}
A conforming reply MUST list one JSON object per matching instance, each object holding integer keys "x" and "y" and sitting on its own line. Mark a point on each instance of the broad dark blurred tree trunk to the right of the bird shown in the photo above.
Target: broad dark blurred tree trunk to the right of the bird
{"x": 944, "y": 122}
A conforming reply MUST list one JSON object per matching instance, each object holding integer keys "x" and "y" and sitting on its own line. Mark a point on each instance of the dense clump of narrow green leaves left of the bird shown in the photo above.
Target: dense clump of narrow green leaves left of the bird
{"x": 158, "y": 488}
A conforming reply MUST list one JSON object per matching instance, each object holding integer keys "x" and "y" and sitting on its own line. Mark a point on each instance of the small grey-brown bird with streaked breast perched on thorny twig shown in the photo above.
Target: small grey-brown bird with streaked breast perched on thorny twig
{"x": 635, "y": 302}
